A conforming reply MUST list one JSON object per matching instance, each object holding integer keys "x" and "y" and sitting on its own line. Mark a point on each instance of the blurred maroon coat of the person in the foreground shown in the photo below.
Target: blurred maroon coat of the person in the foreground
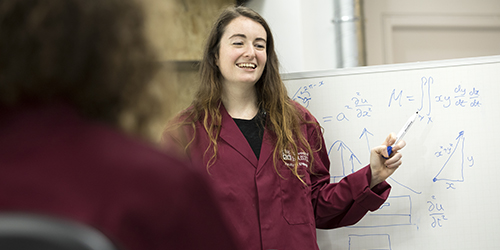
{"x": 54, "y": 162}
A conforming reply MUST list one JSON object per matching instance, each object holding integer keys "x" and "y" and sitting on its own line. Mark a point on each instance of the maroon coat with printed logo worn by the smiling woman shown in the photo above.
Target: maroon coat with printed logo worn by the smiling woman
{"x": 271, "y": 212}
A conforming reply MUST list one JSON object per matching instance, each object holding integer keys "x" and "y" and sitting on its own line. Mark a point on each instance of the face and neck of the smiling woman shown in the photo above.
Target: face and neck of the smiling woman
{"x": 241, "y": 61}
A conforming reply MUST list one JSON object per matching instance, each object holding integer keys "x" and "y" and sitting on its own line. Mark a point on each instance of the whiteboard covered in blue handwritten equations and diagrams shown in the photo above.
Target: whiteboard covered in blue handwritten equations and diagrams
{"x": 445, "y": 195}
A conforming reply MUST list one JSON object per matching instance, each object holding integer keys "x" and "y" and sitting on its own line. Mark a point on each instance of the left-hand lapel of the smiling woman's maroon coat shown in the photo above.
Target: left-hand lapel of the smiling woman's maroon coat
{"x": 232, "y": 135}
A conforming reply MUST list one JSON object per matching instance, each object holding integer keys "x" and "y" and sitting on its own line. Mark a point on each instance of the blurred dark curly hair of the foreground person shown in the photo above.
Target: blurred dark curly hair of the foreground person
{"x": 92, "y": 54}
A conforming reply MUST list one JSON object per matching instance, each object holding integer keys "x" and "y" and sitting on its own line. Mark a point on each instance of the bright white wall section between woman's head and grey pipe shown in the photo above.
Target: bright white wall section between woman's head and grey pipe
{"x": 303, "y": 31}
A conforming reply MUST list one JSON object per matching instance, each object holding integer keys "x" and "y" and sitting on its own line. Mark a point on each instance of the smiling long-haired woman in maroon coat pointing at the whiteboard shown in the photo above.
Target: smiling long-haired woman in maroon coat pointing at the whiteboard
{"x": 264, "y": 152}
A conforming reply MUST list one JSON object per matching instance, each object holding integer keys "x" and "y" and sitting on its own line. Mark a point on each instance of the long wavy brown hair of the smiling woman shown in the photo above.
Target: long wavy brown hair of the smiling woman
{"x": 283, "y": 118}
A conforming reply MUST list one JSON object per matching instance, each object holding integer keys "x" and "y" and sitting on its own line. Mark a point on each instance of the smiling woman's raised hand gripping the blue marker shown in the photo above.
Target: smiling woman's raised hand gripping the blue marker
{"x": 383, "y": 165}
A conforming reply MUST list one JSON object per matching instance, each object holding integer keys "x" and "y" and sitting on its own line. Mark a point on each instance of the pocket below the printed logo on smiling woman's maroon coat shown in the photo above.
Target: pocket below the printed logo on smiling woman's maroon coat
{"x": 296, "y": 197}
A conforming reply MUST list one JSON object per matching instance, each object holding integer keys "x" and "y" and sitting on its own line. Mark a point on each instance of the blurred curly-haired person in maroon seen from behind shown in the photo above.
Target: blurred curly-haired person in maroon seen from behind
{"x": 70, "y": 71}
